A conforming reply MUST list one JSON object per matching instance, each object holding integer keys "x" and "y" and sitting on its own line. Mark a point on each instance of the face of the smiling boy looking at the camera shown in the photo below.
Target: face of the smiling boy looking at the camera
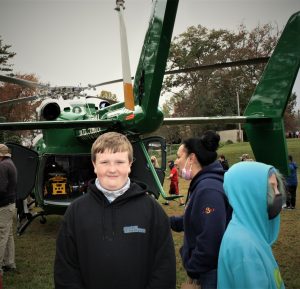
{"x": 112, "y": 169}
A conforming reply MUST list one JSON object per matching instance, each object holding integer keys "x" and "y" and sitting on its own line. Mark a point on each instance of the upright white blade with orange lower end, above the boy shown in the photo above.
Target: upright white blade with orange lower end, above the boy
{"x": 127, "y": 84}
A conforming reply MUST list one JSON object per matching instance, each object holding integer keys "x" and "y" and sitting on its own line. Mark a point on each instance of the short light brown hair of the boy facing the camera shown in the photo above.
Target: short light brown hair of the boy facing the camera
{"x": 112, "y": 142}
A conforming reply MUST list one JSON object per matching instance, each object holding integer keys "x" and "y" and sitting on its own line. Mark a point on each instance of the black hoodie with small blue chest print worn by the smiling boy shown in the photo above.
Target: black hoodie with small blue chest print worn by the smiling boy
{"x": 126, "y": 244}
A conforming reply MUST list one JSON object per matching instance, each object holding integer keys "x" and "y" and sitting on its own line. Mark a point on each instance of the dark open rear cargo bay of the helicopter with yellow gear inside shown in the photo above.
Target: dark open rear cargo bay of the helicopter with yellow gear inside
{"x": 67, "y": 177}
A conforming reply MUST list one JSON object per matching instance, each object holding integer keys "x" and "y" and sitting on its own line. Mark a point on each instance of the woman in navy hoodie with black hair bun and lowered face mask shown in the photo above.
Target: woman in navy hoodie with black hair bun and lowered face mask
{"x": 207, "y": 210}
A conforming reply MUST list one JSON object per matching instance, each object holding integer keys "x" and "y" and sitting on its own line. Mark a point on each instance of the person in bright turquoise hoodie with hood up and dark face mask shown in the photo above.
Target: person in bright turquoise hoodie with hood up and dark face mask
{"x": 255, "y": 192}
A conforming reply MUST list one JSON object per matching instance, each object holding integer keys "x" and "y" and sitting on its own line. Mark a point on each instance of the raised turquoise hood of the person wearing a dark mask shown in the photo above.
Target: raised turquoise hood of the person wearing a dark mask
{"x": 246, "y": 186}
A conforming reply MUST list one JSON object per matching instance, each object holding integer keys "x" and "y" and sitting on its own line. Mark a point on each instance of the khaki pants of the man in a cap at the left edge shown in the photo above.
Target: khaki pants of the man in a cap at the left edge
{"x": 7, "y": 244}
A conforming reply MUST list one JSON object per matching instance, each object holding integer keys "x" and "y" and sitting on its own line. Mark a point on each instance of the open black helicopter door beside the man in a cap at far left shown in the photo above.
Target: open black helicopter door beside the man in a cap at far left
{"x": 26, "y": 162}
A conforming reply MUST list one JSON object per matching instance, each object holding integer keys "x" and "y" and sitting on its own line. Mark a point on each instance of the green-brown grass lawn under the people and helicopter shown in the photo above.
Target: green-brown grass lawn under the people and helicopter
{"x": 35, "y": 249}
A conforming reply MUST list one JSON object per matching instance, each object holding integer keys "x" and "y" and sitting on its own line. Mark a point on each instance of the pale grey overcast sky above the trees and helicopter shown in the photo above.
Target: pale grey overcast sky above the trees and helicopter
{"x": 77, "y": 42}
